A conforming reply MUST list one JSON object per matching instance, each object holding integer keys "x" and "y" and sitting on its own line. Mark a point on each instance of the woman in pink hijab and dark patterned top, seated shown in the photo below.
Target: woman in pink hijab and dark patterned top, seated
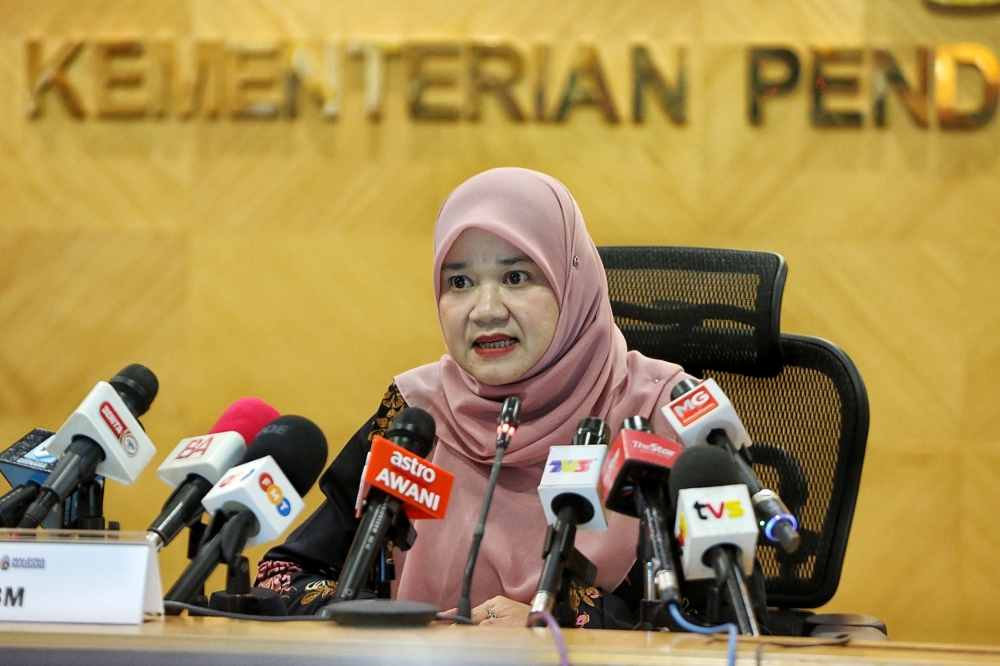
{"x": 523, "y": 304}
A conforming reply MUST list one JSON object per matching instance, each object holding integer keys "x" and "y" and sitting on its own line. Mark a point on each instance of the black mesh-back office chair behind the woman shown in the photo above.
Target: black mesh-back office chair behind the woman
{"x": 717, "y": 313}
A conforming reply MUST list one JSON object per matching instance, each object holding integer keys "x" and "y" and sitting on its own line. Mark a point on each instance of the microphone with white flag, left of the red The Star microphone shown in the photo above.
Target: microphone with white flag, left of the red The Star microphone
{"x": 570, "y": 491}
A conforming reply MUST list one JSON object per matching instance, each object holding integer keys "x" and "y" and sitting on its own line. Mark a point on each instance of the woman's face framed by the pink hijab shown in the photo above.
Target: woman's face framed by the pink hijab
{"x": 498, "y": 312}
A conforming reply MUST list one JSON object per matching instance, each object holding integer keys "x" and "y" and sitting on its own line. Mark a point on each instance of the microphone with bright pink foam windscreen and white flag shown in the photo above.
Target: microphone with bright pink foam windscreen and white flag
{"x": 197, "y": 463}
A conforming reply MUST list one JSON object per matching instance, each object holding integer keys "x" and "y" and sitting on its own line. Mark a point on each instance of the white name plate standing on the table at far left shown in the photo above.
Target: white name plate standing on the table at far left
{"x": 78, "y": 576}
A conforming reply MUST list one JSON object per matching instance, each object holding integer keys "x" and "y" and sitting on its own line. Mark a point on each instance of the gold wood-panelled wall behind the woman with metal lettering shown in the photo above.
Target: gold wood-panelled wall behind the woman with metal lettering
{"x": 283, "y": 251}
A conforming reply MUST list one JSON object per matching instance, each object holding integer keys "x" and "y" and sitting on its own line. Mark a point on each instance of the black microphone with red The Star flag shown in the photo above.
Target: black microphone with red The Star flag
{"x": 634, "y": 478}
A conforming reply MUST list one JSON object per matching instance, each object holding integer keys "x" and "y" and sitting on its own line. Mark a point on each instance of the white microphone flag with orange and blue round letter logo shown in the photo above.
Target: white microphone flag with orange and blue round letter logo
{"x": 262, "y": 487}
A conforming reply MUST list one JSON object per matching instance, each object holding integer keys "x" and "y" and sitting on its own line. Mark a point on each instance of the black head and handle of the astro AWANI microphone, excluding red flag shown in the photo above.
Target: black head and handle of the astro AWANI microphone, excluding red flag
{"x": 412, "y": 429}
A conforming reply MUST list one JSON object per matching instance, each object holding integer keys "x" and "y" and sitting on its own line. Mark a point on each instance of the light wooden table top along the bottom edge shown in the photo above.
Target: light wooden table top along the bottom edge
{"x": 188, "y": 641}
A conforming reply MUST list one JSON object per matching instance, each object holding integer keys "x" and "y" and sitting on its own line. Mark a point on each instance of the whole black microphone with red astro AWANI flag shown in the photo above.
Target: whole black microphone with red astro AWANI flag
{"x": 398, "y": 484}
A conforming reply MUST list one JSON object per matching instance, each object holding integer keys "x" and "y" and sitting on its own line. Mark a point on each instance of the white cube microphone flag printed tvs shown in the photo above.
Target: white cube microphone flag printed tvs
{"x": 709, "y": 517}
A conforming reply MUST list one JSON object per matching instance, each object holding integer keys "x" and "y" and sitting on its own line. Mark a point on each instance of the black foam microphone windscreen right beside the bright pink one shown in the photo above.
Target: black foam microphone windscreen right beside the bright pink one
{"x": 296, "y": 444}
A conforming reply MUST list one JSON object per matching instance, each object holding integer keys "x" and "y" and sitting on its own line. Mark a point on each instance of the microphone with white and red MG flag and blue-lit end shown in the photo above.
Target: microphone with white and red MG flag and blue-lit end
{"x": 701, "y": 413}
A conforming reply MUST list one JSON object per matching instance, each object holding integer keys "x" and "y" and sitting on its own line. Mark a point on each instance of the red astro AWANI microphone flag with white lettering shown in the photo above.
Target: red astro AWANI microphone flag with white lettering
{"x": 424, "y": 488}
